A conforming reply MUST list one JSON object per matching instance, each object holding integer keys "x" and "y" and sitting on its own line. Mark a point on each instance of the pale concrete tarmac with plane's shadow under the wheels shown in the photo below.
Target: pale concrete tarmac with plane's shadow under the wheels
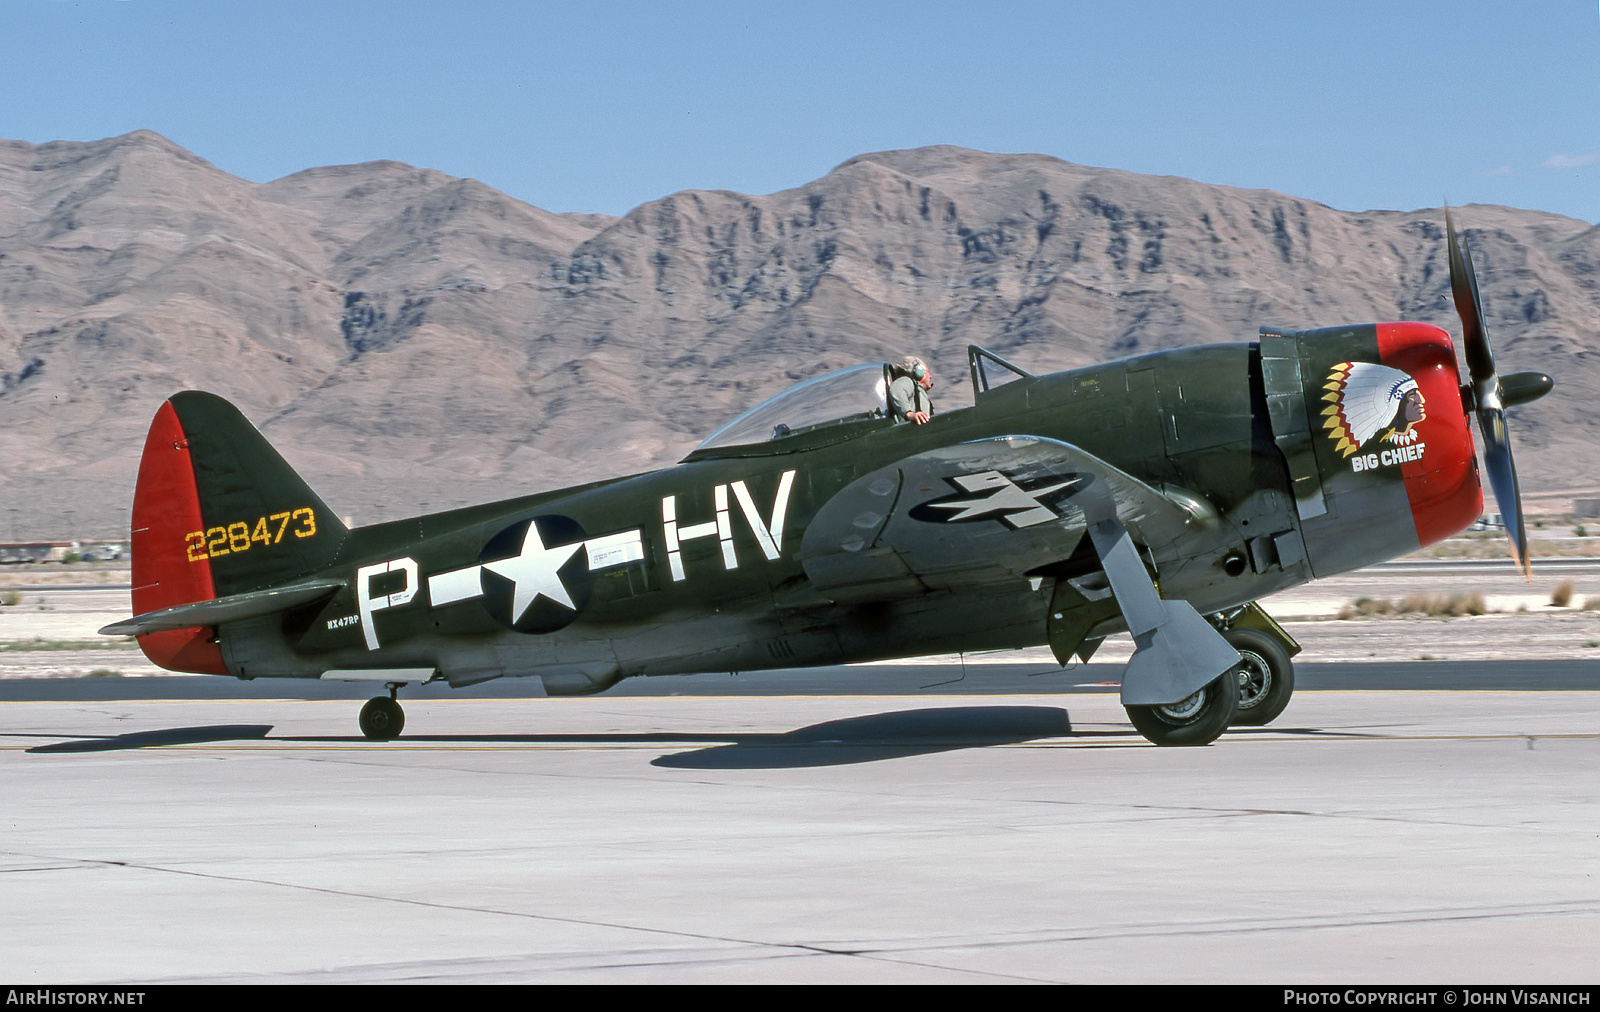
{"x": 1366, "y": 838}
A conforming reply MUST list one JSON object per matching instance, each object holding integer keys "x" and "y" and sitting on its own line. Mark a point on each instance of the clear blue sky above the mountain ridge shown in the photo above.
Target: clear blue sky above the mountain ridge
{"x": 601, "y": 106}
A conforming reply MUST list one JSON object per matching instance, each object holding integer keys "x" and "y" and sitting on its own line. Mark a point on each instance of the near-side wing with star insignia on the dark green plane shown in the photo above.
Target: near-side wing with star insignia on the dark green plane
{"x": 975, "y": 513}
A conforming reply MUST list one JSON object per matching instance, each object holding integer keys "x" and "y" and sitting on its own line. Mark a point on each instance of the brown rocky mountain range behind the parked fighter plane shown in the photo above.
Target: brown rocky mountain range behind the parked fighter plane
{"x": 414, "y": 342}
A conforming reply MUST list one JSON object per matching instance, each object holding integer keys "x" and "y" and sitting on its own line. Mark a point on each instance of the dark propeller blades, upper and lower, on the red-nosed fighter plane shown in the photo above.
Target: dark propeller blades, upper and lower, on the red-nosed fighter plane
{"x": 1487, "y": 396}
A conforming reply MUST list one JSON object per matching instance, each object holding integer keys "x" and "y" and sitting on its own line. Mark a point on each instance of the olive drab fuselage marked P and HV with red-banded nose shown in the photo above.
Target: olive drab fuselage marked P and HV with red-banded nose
{"x": 703, "y": 566}
